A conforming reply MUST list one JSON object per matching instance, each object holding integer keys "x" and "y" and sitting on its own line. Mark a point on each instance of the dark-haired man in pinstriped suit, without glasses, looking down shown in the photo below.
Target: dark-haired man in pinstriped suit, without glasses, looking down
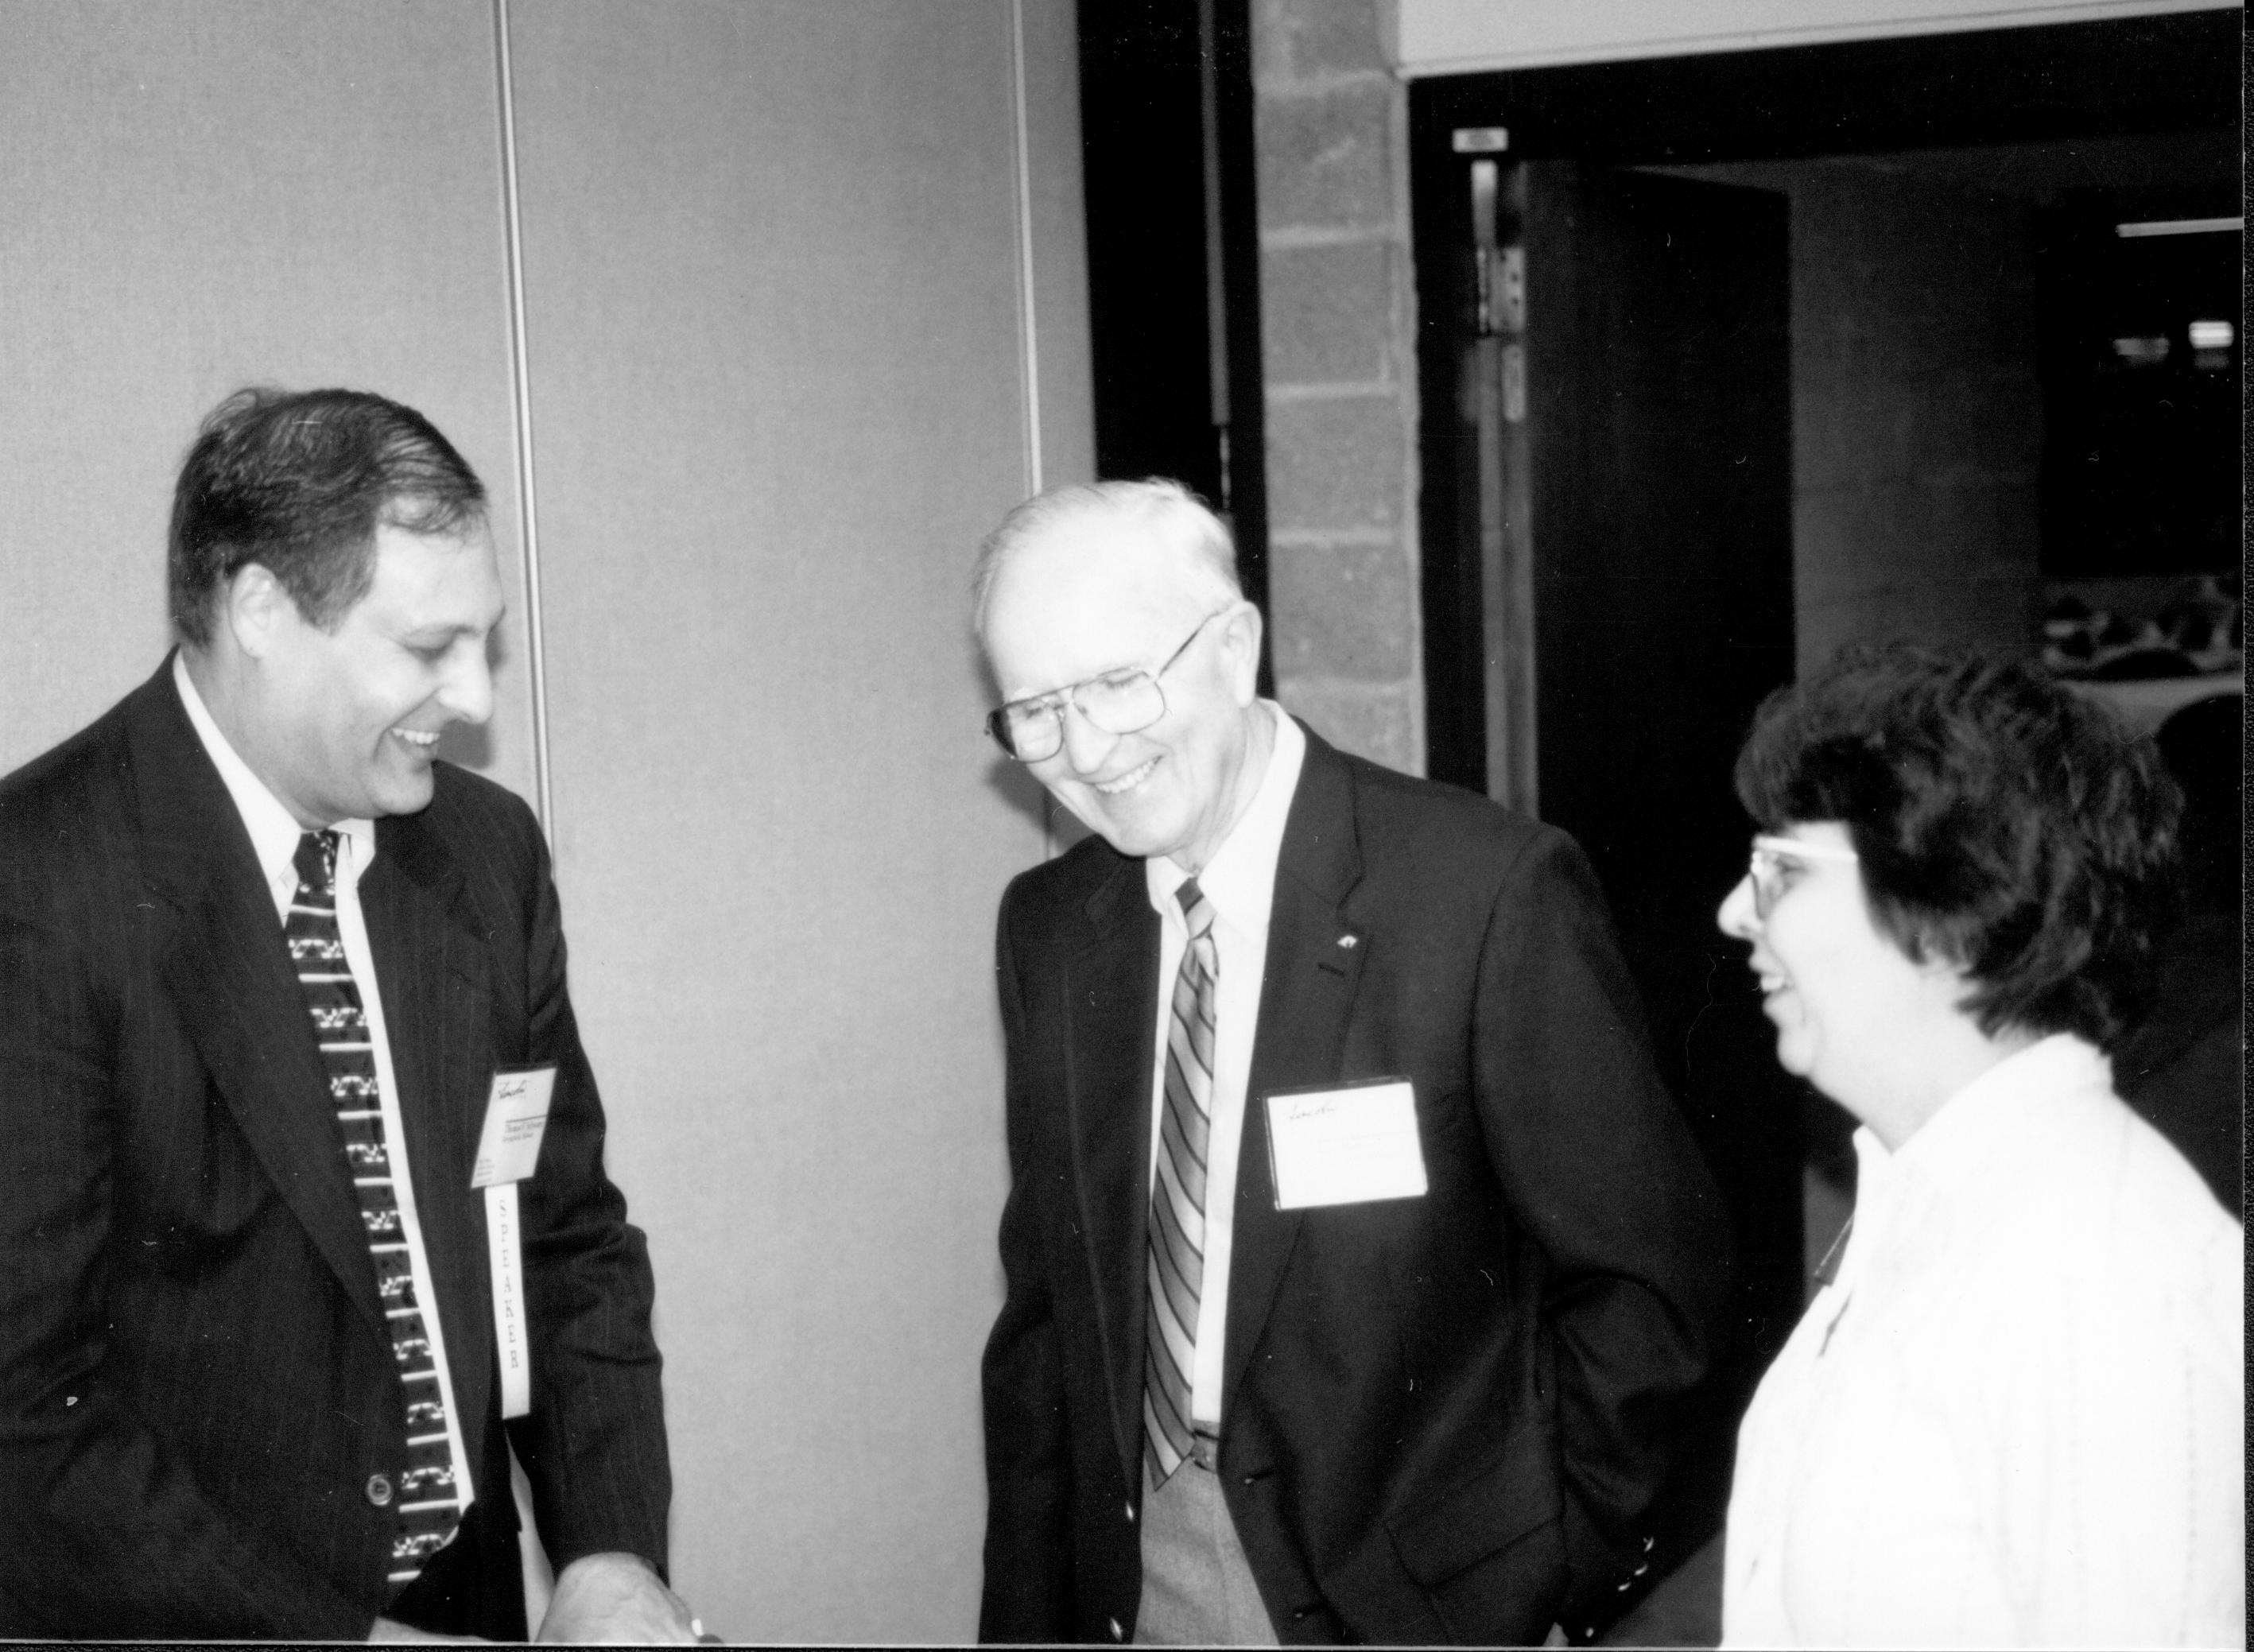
{"x": 260, "y": 963}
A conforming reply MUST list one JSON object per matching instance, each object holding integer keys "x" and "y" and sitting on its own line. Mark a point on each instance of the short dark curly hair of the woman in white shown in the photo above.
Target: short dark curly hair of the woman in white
{"x": 2005, "y": 824}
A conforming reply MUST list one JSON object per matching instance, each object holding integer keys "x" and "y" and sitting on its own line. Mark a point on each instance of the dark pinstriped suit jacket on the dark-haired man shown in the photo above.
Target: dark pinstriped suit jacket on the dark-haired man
{"x": 195, "y": 1376}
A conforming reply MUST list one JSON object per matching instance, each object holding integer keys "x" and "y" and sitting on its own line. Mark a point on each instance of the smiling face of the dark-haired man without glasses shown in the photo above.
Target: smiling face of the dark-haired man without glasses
{"x": 344, "y": 725}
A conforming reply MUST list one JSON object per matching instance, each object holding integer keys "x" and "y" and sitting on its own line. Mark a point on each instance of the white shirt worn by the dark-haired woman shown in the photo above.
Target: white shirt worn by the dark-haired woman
{"x": 2016, "y": 1414}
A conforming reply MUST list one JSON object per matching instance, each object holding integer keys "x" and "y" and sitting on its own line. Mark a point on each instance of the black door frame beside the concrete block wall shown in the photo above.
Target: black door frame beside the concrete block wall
{"x": 2016, "y": 85}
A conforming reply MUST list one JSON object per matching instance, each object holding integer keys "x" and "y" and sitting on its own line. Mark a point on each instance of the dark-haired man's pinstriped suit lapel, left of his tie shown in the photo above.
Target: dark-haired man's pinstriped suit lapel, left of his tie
{"x": 227, "y": 970}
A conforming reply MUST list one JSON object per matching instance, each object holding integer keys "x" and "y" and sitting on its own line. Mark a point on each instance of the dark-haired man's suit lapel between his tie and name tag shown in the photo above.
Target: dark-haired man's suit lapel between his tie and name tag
{"x": 436, "y": 979}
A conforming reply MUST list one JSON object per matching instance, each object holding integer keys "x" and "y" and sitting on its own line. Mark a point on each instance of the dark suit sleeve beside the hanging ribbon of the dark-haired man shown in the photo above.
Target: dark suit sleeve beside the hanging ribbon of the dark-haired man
{"x": 594, "y": 1446}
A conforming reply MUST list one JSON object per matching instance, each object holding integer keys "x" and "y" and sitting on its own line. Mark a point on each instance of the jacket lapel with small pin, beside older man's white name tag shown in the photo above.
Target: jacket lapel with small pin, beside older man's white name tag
{"x": 1306, "y": 1000}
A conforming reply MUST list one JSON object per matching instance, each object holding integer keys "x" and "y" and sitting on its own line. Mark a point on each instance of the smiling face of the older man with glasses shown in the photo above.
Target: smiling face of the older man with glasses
{"x": 1101, "y": 596}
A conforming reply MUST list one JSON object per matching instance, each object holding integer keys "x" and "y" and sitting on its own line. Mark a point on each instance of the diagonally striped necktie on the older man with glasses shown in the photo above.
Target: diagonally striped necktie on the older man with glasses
{"x": 1178, "y": 1198}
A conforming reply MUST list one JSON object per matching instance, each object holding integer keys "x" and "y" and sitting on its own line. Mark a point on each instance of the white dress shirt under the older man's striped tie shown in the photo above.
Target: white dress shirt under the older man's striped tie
{"x": 1241, "y": 882}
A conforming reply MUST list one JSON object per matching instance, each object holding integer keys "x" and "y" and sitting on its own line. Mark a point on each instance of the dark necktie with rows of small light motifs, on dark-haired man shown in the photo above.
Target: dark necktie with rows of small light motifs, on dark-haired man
{"x": 427, "y": 1502}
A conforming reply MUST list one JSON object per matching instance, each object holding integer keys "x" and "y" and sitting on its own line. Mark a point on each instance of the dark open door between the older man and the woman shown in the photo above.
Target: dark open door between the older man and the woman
{"x": 1658, "y": 547}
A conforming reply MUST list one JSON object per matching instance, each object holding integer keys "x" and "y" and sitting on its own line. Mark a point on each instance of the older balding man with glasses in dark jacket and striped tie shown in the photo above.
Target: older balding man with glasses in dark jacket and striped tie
{"x": 1360, "y": 1272}
